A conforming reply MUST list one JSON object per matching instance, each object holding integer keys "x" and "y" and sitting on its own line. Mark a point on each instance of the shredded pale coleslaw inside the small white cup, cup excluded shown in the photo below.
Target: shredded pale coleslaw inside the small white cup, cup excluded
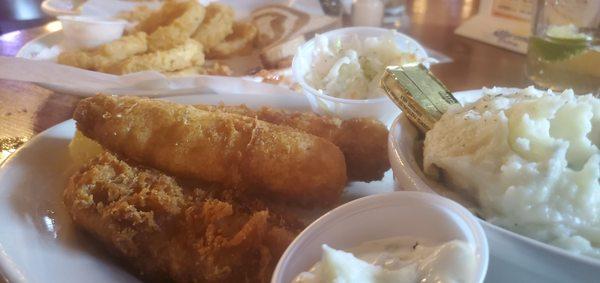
{"x": 351, "y": 67}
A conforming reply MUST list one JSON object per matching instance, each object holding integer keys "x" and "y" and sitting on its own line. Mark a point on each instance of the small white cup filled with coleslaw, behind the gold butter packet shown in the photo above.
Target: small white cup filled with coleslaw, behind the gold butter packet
{"x": 339, "y": 70}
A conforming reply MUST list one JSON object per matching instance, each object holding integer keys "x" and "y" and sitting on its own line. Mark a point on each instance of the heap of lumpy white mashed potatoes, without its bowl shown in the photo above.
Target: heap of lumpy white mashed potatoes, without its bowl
{"x": 529, "y": 159}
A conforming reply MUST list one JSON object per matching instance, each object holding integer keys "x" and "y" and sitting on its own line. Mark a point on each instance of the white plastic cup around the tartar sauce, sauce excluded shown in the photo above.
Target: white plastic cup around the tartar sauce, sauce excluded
{"x": 397, "y": 214}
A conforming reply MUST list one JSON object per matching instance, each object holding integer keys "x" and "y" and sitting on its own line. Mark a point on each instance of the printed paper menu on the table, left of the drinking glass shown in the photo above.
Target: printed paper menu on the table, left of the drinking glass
{"x": 503, "y": 23}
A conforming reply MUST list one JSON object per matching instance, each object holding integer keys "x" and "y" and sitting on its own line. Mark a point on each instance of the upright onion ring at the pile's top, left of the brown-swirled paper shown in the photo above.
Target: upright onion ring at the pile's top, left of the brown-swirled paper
{"x": 217, "y": 25}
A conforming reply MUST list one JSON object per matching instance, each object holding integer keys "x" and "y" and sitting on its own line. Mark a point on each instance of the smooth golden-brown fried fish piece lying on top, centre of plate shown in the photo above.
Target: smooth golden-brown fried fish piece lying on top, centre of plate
{"x": 224, "y": 148}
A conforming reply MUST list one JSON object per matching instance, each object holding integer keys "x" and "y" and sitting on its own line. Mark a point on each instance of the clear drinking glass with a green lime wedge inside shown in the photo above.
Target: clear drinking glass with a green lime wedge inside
{"x": 564, "y": 48}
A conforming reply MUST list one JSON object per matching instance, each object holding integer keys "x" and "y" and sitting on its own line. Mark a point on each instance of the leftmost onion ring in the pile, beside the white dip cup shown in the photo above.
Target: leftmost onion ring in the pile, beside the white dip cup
{"x": 107, "y": 54}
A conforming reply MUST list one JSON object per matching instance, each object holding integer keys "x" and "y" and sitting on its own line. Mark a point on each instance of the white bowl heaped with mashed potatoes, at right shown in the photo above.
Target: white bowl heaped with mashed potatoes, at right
{"x": 527, "y": 162}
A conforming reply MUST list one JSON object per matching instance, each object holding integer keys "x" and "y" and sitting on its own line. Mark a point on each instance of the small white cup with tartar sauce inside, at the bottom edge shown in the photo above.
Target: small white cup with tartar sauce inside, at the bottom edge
{"x": 394, "y": 237}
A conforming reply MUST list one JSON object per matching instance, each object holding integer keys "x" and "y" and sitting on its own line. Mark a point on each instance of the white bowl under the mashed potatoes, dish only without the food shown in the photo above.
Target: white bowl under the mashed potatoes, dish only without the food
{"x": 513, "y": 258}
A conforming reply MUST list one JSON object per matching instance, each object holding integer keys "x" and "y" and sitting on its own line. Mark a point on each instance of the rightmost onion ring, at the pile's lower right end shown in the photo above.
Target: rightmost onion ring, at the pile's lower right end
{"x": 240, "y": 42}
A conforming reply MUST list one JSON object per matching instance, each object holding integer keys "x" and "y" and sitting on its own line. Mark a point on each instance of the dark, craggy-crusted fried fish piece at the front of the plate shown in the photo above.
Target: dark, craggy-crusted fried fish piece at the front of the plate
{"x": 171, "y": 233}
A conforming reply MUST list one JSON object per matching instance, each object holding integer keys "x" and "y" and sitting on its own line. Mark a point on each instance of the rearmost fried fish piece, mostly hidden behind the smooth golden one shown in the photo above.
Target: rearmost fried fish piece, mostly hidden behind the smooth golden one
{"x": 362, "y": 140}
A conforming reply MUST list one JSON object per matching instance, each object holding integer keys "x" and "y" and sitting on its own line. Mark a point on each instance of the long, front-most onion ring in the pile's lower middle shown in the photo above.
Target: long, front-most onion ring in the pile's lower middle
{"x": 180, "y": 57}
